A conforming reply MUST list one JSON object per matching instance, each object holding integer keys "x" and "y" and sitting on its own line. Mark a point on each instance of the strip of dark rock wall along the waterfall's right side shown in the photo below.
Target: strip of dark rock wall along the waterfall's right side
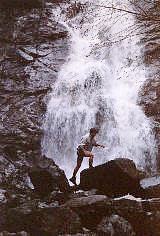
{"x": 150, "y": 92}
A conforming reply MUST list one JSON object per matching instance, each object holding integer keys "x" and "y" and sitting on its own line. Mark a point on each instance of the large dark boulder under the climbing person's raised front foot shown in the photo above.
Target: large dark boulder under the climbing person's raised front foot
{"x": 114, "y": 178}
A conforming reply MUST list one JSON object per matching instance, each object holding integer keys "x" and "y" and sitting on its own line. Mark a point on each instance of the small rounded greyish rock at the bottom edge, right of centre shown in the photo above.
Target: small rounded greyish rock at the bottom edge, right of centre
{"x": 115, "y": 225}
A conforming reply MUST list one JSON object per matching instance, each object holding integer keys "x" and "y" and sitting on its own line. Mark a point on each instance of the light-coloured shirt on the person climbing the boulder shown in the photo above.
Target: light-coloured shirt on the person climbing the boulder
{"x": 87, "y": 142}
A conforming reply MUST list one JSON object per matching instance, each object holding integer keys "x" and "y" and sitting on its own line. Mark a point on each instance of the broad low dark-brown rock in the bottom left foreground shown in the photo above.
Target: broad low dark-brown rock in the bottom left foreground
{"x": 45, "y": 221}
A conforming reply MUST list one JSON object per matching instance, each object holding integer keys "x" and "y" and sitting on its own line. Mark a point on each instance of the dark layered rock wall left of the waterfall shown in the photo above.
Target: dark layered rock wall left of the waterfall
{"x": 33, "y": 47}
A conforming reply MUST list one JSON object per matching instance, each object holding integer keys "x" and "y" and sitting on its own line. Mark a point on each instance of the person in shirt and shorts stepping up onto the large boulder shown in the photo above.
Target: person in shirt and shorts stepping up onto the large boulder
{"x": 84, "y": 150}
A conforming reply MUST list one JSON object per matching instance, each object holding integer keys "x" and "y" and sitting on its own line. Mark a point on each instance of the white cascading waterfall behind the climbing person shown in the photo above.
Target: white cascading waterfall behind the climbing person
{"x": 99, "y": 85}
